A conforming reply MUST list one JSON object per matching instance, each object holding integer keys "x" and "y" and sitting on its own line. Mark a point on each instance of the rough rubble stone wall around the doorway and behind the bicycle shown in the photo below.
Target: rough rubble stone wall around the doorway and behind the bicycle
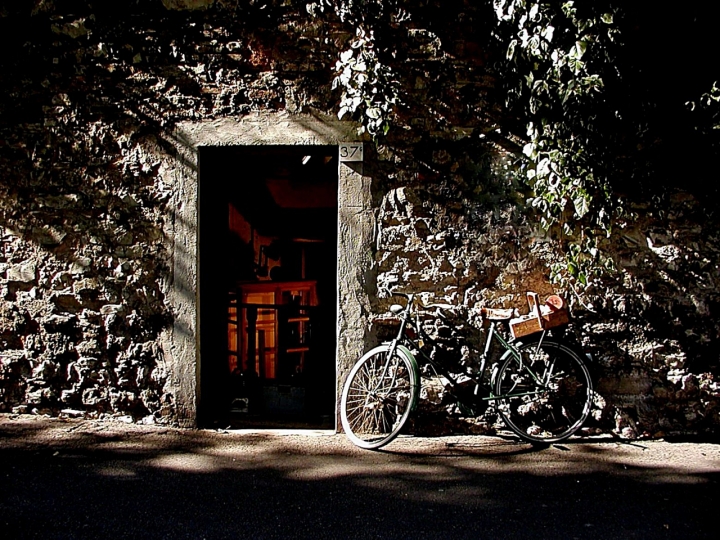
{"x": 88, "y": 104}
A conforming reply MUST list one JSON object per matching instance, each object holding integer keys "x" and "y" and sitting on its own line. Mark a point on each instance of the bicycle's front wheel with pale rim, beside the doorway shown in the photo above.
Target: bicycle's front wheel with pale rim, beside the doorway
{"x": 378, "y": 396}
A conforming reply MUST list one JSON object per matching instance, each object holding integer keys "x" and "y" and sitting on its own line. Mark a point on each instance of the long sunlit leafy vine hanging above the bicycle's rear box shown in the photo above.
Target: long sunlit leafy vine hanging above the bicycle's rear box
{"x": 558, "y": 55}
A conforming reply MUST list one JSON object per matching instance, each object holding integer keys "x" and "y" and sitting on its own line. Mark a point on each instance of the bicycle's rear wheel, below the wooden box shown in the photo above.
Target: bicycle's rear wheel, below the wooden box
{"x": 545, "y": 395}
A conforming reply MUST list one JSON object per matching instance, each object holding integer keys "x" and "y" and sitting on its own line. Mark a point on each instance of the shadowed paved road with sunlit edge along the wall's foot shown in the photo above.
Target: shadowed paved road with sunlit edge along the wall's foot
{"x": 82, "y": 479}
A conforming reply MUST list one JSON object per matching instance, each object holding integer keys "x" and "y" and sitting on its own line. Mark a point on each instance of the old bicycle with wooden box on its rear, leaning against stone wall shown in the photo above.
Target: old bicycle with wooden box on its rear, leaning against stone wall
{"x": 541, "y": 388}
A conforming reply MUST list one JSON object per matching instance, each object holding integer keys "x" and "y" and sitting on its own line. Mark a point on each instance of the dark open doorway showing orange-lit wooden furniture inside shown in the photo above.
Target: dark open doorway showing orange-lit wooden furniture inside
{"x": 267, "y": 275}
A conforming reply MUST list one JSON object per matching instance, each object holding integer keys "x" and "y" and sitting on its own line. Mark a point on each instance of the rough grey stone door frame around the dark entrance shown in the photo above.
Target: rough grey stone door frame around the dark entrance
{"x": 356, "y": 241}
